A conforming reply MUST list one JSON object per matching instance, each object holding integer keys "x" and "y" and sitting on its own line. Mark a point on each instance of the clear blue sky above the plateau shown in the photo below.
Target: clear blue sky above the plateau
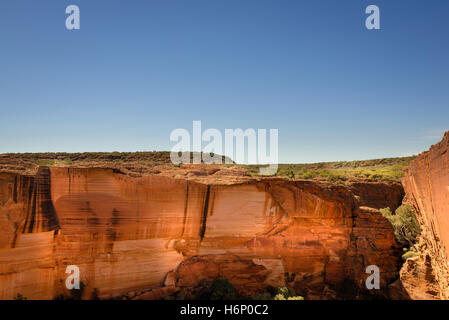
{"x": 136, "y": 70}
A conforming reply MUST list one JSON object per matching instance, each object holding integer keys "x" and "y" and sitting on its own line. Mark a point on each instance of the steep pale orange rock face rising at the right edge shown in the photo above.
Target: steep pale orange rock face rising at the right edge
{"x": 426, "y": 183}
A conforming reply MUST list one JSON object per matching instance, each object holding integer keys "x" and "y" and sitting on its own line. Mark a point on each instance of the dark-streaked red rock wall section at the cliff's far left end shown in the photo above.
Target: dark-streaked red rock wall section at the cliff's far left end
{"x": 28, "y": 225}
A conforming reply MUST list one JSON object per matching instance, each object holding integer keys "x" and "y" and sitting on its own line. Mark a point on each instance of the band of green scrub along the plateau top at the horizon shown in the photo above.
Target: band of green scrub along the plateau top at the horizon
{"x": 388, "y": 169}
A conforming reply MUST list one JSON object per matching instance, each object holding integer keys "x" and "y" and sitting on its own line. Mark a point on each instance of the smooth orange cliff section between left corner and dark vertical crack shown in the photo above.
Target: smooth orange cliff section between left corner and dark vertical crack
{"x": 121, "y": 231}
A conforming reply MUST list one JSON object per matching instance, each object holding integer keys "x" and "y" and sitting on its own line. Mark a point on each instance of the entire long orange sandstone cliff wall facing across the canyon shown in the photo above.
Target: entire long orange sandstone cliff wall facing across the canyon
{"x": 148, "y": 237}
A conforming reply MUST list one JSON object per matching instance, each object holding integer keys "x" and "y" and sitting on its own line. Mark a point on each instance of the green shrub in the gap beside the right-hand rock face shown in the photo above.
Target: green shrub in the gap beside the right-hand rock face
{"x": 404, "y": 222}
